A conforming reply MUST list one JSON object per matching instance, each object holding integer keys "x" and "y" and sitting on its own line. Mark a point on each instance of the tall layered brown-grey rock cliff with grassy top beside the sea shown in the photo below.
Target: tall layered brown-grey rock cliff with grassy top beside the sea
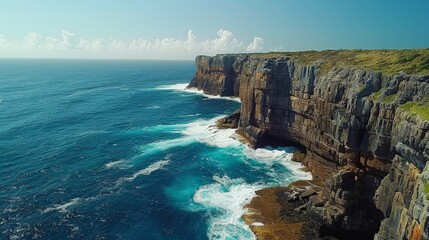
{"x": 371, "y": 123}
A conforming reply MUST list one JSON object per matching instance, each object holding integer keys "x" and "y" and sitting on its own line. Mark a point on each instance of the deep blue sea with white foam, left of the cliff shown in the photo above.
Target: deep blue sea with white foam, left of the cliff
{"x": 106, "y": 149}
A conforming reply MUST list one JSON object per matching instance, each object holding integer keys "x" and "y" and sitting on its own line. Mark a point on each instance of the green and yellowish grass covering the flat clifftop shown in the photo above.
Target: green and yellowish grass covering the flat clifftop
{"x": 411, "y": 61}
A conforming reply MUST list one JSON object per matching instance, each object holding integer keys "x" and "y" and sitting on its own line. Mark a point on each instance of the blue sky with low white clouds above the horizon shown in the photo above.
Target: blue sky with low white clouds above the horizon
{"x": 161, "y": 29}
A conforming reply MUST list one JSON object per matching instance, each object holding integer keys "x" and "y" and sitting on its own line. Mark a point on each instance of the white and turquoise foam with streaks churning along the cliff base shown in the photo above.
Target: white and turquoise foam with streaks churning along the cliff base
{"x": 225, "y": 197}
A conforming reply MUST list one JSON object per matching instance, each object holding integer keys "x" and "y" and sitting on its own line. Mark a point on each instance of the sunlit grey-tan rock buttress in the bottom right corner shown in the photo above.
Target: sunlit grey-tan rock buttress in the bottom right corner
{"x": 404, "y": 201}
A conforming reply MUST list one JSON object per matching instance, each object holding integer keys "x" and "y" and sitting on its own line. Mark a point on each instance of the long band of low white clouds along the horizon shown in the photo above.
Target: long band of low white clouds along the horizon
{"x": 223, "y": 42}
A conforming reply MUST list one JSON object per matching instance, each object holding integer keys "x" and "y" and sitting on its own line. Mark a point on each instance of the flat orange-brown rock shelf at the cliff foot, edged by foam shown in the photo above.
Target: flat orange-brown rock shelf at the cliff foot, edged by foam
{"x": 285, "y": 213}
